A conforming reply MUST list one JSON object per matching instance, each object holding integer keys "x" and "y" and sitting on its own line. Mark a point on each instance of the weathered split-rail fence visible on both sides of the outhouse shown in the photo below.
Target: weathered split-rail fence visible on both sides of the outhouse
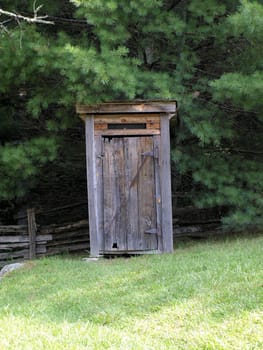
{"x": 31, "y": 240}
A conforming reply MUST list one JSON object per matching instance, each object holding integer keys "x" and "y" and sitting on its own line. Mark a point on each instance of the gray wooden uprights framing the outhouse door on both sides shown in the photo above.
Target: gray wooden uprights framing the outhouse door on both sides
{"x": 95, "y": 198}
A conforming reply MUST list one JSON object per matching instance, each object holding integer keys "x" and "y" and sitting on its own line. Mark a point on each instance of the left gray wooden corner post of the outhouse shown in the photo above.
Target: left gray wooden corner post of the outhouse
{"x": 92, "y": 188}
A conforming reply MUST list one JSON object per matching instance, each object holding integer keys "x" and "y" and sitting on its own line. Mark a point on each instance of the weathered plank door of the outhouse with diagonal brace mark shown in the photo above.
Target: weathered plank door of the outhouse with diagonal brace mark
{"x": 129, "y": 197}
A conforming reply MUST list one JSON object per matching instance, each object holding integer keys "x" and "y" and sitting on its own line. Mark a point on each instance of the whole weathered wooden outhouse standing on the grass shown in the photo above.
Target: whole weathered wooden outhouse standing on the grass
{"x": 128, "y": 175}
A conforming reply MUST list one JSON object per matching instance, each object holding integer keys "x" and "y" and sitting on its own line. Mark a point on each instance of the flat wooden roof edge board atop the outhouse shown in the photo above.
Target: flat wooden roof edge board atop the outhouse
{"x": 128, "y": 107}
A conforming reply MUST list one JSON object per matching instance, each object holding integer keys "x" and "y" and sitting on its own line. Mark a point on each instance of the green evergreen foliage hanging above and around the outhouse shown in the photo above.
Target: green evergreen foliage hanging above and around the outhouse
{"x": 205, "y": 54}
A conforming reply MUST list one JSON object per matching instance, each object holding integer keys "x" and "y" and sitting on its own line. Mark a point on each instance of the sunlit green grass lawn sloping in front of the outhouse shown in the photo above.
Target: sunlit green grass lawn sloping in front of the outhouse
{"x": 204, "y": 296}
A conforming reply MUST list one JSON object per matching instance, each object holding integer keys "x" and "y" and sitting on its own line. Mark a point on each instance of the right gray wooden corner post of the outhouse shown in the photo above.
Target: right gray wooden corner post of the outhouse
{"x": 165, "y": 172}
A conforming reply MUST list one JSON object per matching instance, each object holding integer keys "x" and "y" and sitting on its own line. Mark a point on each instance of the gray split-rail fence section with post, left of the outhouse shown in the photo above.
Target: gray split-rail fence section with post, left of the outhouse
{"x": 23, "y": 242}
